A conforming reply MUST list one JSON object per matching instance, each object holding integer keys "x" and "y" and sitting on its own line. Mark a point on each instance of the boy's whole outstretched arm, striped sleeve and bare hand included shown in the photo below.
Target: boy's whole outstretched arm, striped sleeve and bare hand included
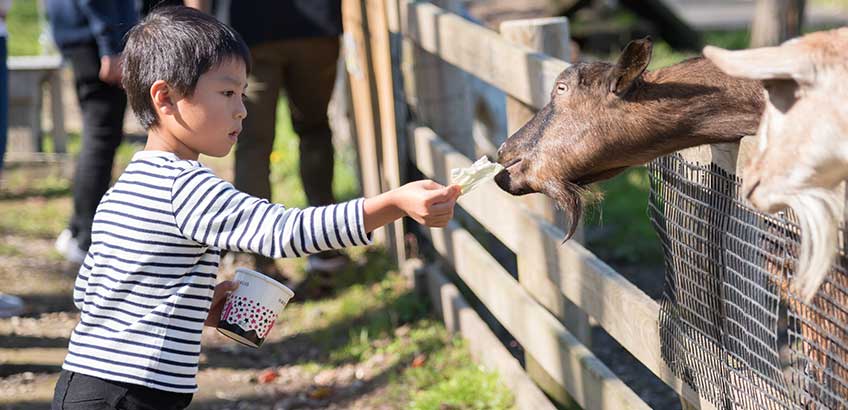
{"x": 211, "y": 211}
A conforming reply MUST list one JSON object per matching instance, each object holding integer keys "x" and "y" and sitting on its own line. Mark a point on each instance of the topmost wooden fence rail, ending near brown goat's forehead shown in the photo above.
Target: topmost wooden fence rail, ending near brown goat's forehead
{"x": 518, "y": 71}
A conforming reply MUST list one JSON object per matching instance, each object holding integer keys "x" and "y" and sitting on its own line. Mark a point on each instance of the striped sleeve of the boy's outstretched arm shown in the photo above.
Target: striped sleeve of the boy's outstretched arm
{"x": 211, "y": 211}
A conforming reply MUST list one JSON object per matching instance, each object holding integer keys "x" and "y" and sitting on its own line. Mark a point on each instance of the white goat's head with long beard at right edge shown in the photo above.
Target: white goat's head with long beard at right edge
{"x": 802, "y": 138}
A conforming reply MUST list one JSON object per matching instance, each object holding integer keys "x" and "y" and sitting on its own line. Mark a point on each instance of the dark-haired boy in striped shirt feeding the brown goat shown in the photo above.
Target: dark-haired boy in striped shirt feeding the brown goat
{"x": 146, "y": 288}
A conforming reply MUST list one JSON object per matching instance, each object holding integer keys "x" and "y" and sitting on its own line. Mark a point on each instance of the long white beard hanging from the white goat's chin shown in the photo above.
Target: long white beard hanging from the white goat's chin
{"x": 818, "y": 211}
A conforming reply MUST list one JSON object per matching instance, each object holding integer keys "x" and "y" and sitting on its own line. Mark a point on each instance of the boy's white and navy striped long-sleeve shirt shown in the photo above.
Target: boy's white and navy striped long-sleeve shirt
{"x": 146, "y": 285}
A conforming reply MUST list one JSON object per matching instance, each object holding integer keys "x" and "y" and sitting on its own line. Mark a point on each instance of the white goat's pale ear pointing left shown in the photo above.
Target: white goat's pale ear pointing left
{"x": 787, "y": 62}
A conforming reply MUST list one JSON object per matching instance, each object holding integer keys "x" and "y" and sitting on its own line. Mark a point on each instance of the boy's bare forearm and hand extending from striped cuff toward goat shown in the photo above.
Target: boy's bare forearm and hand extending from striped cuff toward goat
{"x": 427, "y": 202}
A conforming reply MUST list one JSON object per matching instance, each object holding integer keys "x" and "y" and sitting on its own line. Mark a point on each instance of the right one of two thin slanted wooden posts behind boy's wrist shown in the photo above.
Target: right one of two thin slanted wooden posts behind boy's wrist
{"x": 378, "y": 34}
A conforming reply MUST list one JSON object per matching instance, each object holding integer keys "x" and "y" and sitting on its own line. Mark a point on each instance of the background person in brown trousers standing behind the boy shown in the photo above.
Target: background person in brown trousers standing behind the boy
{"x": 294, "y": 45}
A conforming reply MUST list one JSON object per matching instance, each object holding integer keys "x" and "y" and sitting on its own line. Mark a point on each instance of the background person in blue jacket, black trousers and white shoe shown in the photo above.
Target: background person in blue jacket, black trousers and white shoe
{"x": 90, "y": 35}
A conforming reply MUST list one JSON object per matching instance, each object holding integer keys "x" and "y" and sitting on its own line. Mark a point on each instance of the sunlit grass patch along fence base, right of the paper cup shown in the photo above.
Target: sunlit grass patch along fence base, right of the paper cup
{"x": 426, "y": 367}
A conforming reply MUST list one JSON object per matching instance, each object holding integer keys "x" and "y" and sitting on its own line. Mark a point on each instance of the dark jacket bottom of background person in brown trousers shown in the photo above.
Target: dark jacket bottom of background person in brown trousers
{"x": 261, "y": 21}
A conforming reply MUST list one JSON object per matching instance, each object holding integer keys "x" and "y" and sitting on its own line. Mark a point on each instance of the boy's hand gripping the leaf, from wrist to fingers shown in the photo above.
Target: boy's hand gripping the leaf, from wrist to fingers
{"x": 428, "y": 202}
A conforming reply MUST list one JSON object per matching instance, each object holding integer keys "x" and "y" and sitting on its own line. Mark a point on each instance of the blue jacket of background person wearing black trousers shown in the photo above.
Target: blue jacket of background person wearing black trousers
{"x": 103, "y": 22}
